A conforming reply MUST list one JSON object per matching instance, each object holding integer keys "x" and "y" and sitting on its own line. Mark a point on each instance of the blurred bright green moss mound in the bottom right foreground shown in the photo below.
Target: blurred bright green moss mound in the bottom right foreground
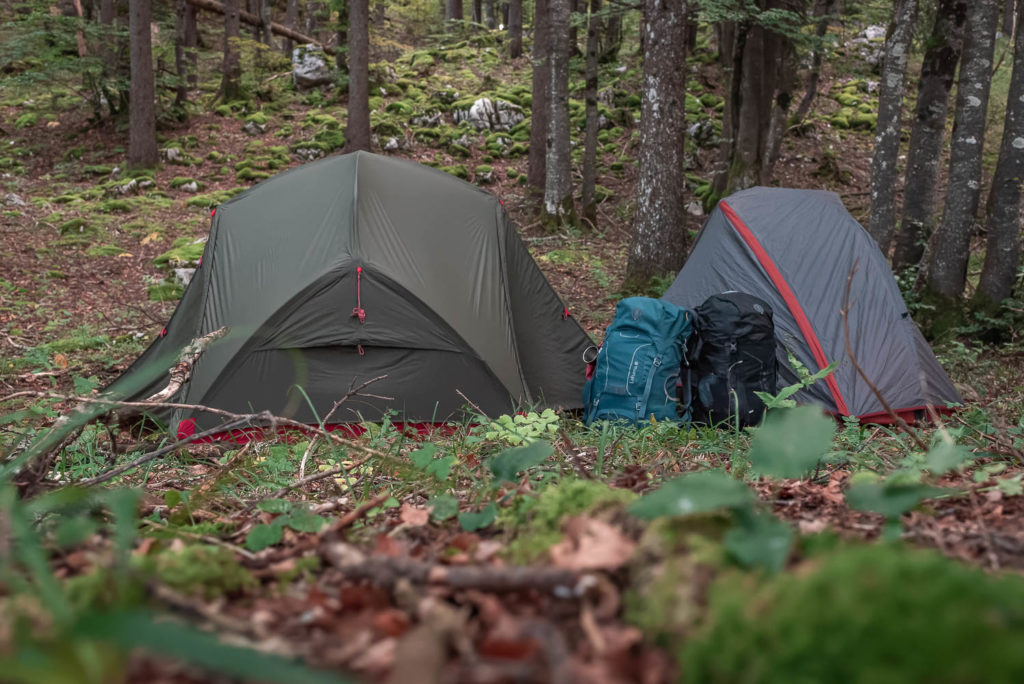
{"x": 862, "y": 615}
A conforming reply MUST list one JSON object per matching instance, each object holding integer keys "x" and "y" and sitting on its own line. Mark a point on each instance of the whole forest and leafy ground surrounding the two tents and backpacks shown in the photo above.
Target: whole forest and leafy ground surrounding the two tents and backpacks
{"x": 535, "y": 548}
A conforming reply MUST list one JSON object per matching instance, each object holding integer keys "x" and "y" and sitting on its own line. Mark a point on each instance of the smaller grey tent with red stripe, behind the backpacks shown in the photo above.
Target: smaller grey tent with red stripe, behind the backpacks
{"x": 796, "y": 249}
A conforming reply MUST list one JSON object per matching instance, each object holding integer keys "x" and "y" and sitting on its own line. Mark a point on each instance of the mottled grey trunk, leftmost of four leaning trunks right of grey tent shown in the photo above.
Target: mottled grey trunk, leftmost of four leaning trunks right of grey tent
{"x": 882, "y": 224}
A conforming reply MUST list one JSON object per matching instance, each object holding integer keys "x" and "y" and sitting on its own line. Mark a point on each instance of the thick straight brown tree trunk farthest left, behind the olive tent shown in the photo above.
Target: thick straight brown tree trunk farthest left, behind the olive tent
{"x": 142, "y": 109}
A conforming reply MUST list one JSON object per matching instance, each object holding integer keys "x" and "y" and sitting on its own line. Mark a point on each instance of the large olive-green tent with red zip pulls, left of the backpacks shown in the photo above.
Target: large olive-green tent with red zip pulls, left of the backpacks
{"x": 359, "y": 267}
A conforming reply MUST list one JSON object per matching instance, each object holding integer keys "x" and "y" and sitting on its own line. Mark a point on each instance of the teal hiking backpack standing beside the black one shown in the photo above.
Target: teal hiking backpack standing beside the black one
{"x": 635, "y": 374}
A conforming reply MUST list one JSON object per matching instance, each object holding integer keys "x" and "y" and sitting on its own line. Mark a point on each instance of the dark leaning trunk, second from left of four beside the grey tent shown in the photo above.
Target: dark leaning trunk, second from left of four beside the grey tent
{"x": 937, "y": 72}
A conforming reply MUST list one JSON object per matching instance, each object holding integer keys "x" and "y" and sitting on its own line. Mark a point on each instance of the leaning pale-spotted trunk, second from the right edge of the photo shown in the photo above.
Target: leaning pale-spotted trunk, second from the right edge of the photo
{"x": 948, "y": 267}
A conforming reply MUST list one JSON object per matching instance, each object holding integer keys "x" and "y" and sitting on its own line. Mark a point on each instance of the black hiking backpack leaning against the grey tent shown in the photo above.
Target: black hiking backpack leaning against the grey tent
{"x": 734, "y": 358}
